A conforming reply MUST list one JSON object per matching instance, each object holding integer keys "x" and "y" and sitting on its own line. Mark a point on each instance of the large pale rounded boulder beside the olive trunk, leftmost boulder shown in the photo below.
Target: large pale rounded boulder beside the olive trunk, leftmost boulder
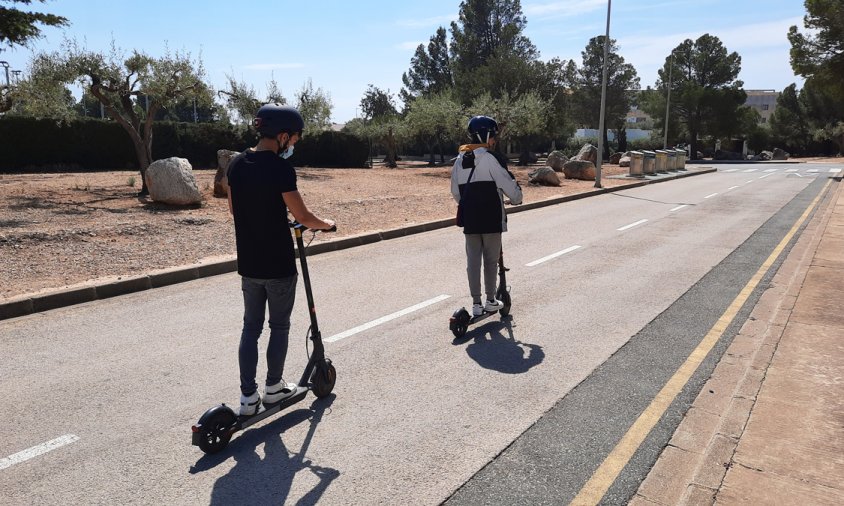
{"x": 171, "y": 181}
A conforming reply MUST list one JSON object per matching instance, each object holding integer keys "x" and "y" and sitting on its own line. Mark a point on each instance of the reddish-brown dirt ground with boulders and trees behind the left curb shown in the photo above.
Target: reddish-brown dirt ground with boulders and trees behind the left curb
{"x": 61, "y": 230}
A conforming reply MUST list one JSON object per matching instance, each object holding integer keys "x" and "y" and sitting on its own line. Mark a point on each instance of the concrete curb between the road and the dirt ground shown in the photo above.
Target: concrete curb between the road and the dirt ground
{"x": 36, "y": 303}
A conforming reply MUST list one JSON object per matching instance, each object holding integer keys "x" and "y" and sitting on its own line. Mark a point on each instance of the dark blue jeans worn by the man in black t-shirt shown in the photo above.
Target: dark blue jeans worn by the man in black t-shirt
{"x": 258, "y": 294}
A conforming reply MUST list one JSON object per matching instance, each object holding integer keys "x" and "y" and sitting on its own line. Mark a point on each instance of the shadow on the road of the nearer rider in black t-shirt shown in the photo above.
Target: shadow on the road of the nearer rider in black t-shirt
{"x": 257, "y": 481}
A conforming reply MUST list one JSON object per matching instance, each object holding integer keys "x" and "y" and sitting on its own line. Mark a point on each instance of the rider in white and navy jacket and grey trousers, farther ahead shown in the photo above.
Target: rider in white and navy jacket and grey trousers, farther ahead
{"x": 479, "y": 181}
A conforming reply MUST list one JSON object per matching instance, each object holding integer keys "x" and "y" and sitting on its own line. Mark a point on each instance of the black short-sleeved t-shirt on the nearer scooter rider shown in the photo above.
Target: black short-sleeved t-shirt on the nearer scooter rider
{"x": 257, "y": 180}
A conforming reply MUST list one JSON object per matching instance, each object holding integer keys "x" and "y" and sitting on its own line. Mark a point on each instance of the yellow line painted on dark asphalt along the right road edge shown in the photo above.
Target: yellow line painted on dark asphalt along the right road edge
{"x": 594, "y": 489}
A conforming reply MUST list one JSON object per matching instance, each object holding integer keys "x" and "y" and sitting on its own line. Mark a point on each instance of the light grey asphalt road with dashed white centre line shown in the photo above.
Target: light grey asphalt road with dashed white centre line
{"x": 99, "y": 397}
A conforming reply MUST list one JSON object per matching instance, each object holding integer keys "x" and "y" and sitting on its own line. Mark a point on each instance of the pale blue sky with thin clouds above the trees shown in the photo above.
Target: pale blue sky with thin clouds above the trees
{"x": 344, "y": 46}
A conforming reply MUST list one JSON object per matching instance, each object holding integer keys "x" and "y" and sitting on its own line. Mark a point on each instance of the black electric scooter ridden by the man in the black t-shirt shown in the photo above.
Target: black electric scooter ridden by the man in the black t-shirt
{"x": 215, "y": 428}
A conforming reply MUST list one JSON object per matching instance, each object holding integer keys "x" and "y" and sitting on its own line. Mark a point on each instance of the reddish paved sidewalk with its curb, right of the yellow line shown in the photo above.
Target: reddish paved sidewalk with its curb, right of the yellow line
{"x": 768, "y": 426}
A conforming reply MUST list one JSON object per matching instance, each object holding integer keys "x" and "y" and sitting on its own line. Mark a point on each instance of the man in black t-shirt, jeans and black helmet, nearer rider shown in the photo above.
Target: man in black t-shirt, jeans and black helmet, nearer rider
{"x": 262, "y": 189}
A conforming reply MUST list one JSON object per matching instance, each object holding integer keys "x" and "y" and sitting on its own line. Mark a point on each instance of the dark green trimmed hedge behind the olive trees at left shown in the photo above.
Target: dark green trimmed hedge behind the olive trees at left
{"x": 30, "y": 145}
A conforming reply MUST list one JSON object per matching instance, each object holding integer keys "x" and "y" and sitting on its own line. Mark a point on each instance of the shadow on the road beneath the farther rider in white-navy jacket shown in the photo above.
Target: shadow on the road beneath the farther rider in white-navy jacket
{"x": 492, "y": 349}
